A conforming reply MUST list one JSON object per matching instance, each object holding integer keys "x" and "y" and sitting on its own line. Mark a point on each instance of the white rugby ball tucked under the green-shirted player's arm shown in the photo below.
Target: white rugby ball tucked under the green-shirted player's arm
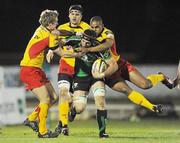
{"x": 99, "y": 66}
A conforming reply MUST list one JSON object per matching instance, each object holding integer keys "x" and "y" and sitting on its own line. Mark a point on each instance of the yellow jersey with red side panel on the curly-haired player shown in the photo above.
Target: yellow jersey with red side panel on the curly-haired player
{"x": 34, "y": 53}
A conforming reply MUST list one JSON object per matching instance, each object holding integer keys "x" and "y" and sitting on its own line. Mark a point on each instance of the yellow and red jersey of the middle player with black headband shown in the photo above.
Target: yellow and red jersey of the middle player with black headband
{"x": 70, "y": 62}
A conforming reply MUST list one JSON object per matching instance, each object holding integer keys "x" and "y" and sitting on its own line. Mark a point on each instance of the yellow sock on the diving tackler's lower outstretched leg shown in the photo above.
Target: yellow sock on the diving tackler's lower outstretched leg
{"x": 139, "y": 99}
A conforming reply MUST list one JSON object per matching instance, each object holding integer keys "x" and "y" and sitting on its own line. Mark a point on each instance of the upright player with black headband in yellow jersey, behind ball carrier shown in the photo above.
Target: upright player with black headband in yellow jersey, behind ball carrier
{"x": 75, "y": 27}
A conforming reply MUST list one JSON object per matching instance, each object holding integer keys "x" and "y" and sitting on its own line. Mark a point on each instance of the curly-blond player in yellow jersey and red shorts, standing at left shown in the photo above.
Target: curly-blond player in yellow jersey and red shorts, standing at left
{"x": 32, "y": 74}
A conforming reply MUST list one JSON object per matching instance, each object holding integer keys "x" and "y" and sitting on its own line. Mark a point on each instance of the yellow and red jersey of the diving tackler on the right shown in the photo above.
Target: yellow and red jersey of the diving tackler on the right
{"x": 106, "y": 34}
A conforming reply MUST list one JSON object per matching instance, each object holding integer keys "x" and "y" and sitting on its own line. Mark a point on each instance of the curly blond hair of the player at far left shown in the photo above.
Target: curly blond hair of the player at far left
{"x": 48, "y": 16}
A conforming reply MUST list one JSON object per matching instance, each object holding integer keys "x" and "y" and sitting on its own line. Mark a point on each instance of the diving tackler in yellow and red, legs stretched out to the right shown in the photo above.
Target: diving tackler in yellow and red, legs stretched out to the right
{"x": 126, "y": 71}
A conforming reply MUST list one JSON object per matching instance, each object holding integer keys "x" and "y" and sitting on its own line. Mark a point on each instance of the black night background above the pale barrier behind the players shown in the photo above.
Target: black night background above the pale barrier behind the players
{"x": 146, "y": 31}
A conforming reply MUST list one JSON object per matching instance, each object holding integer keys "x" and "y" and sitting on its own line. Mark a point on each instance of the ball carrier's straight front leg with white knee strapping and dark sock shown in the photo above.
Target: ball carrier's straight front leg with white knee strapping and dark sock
{"x": 98, "y": 90}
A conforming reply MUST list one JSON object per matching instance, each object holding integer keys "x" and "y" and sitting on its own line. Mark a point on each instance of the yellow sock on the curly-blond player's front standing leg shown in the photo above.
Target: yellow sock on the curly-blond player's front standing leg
{"x": 42, "y": 117}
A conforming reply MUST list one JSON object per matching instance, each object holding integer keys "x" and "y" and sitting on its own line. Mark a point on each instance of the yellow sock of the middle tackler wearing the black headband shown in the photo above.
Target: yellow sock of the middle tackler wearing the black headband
{"x": 63, "y": 112}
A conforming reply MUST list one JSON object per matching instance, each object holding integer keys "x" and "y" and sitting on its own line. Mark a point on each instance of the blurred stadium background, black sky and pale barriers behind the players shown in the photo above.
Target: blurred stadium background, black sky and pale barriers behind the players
{"x": 147, "y": 34}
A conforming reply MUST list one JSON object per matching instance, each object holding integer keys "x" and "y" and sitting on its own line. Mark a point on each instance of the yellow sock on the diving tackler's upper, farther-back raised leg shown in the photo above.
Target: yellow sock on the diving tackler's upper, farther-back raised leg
{"x": 155, "y": 78}
